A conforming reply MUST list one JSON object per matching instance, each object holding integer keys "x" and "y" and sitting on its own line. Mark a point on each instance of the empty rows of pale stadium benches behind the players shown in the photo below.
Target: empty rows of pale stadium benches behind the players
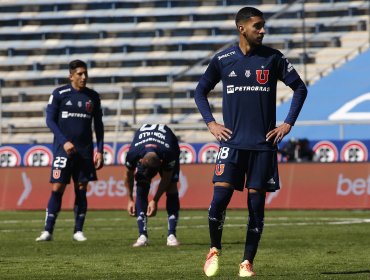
{"x": 145, "y": 57}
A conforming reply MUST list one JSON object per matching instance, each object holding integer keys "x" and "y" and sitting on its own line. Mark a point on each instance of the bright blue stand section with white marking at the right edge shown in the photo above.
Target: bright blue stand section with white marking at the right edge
{"x": 344, "y": 98}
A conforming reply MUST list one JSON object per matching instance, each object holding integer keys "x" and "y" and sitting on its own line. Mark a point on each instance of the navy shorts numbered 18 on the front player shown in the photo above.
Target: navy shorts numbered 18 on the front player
{"x": 247, "y": 169}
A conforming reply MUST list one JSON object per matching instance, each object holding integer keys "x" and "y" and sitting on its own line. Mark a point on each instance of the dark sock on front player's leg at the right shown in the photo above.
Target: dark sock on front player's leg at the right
{"x": 256, "y": 208}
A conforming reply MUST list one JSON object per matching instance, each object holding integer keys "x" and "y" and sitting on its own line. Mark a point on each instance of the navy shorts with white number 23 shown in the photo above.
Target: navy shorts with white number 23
{"x": 81, "y": 169}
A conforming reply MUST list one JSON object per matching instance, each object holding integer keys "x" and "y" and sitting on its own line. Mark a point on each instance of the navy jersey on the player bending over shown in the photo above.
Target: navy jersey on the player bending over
{"x": 156, "y": 138}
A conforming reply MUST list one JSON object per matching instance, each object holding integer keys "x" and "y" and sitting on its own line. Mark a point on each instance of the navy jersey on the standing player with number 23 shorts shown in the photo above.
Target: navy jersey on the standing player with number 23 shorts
{"x": 70, "y": 114}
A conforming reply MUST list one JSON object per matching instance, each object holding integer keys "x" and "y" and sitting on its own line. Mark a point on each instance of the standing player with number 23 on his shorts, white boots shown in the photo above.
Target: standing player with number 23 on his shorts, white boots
{"x": 69, "y": 114}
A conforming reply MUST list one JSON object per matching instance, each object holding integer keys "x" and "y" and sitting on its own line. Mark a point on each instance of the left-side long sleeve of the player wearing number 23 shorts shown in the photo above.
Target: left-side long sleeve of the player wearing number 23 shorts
{"x": 52, "y": 113}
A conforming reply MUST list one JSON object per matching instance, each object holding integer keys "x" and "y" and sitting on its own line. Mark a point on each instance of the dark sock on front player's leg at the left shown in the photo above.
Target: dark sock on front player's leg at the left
{"x": 217, "y": 213}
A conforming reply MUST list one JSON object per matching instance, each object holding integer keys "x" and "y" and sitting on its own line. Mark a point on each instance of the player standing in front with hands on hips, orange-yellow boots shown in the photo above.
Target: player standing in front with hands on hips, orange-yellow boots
{"x": 248, "y": 138}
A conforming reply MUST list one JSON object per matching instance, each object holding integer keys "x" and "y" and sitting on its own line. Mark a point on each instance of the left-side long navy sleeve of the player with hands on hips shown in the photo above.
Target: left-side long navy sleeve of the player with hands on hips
{"x": 207, "y": 82}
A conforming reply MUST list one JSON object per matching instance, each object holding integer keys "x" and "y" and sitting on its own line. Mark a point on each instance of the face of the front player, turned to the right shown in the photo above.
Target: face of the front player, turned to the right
{"x": 253, "y": 30}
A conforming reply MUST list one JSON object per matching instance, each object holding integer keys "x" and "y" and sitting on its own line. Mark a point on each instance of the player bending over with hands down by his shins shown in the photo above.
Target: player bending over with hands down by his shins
{"x": 154, "y": 149}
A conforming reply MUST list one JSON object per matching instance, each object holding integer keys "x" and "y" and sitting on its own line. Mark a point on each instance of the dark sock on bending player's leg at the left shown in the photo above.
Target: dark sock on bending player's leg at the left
{"x": 141, "y": 205}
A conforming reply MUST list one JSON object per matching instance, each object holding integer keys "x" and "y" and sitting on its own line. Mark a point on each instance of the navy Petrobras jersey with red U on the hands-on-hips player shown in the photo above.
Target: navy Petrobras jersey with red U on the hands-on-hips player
{"x": 250, "y": 80}
